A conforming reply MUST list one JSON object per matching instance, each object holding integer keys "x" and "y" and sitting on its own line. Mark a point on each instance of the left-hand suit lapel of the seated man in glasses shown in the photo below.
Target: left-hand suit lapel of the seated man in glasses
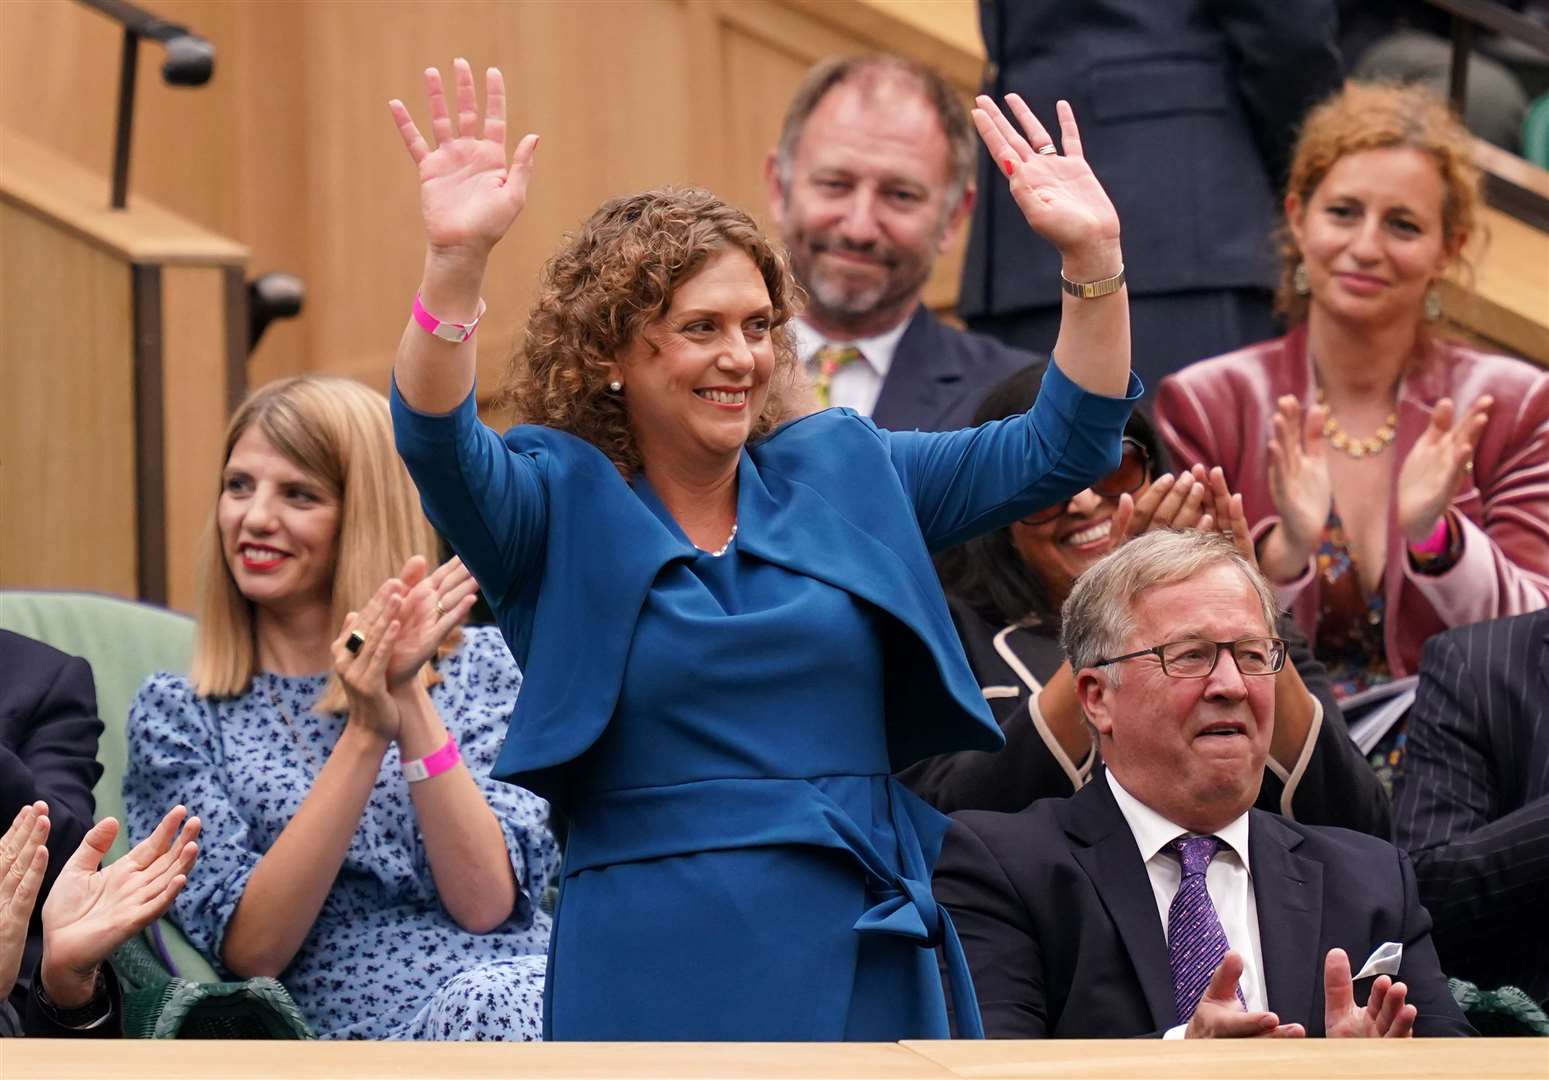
{"x": 1107, "y": 851}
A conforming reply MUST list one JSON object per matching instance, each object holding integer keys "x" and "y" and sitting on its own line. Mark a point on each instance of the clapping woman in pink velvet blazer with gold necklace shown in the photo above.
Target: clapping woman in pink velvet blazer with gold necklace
{"x": 1398, "y": 484}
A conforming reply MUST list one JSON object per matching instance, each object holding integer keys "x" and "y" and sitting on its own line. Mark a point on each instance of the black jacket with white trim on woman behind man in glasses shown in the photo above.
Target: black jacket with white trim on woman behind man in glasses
{"x": 1336, "y": 786}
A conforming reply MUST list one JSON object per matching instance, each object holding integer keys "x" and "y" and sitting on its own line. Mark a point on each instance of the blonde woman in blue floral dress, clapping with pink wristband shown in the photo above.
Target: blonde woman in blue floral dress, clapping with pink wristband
{"x": 355, "y": 845}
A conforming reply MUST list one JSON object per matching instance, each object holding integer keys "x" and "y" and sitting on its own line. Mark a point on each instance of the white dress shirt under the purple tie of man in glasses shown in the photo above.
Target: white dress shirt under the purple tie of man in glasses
{"x": 1229, "y": 882}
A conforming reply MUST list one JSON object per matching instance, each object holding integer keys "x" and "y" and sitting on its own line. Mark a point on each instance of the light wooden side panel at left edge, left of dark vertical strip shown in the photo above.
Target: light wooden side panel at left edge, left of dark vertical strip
{"x": 67, "y": 459}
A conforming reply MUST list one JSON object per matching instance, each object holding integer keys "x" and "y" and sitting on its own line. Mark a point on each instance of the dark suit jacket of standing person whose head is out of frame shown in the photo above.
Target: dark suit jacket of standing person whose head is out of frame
{"x": 1187, "y": 111}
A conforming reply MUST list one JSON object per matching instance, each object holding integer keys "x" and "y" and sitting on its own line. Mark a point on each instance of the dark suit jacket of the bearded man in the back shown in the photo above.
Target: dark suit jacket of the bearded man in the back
{"x": 939, "y": 376}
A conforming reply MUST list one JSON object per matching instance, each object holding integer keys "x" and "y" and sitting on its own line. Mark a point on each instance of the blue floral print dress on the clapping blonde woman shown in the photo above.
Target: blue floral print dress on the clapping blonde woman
{"x": 383, "y": 960}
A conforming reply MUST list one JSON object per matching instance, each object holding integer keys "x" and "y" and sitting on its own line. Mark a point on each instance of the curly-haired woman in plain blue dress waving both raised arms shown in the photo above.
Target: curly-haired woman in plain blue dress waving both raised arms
{"x": 727, "y": 616}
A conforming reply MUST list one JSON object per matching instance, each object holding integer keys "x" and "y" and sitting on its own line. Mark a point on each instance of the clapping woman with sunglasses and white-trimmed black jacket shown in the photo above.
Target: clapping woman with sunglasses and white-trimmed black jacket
{"x": 1006, "y": 591}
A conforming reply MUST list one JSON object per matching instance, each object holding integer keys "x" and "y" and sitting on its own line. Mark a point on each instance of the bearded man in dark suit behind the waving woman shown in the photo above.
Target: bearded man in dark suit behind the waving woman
{"x": 871, "y": 182}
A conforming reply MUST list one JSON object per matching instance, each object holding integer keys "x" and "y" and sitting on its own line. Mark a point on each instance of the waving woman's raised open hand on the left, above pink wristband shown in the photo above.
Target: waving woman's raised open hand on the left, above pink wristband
{"x": 469, "y": 191}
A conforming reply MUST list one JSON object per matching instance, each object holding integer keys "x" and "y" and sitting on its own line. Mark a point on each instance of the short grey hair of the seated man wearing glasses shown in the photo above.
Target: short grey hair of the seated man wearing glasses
{"x": 1099, "y": 616}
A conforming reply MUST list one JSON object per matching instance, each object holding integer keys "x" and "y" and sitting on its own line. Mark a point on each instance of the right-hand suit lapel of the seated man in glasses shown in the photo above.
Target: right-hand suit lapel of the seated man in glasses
{"x": 1288, "y": 892}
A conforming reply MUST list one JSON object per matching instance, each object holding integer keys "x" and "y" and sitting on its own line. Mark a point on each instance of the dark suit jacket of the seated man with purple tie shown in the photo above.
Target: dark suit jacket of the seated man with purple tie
{"x": 1060, "y": 924}
